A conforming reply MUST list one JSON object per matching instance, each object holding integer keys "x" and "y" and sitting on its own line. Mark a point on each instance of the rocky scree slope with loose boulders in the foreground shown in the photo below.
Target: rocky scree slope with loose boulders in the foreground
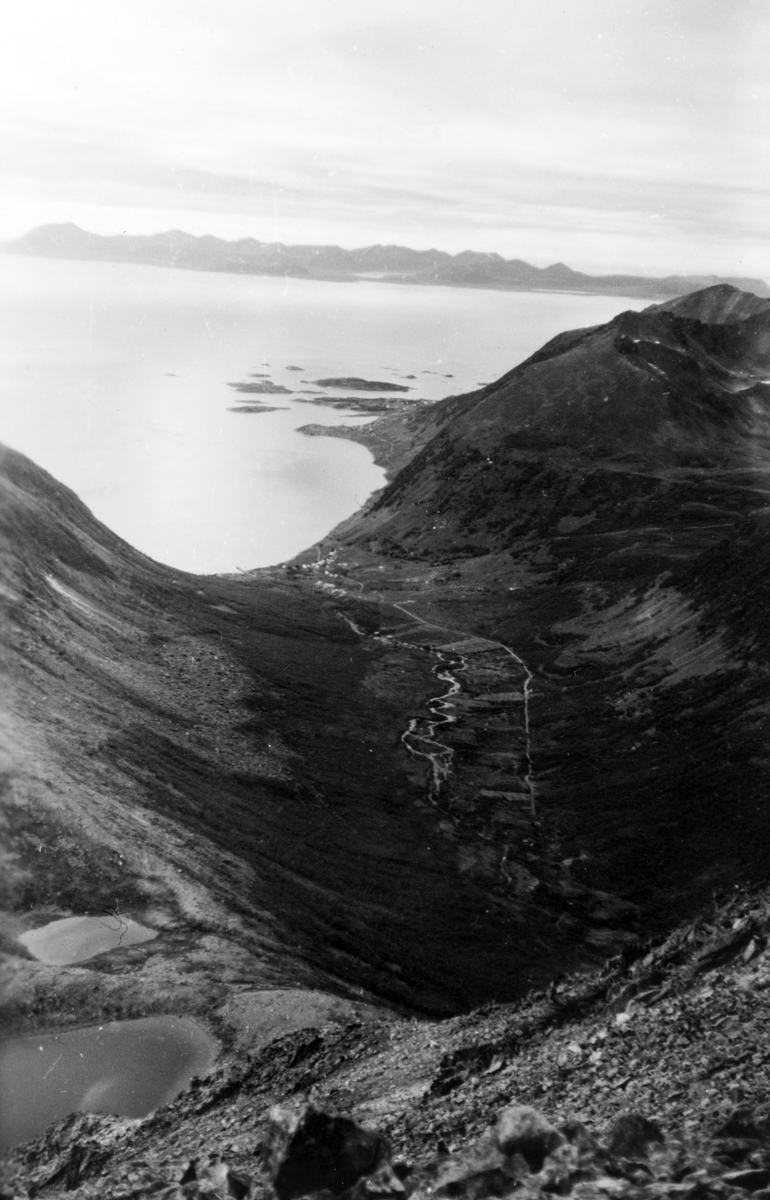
{"x": 651, "y": 1078}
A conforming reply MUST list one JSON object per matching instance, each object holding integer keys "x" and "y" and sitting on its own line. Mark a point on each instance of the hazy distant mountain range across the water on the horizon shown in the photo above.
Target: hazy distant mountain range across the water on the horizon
{"x": 395, "y": 265}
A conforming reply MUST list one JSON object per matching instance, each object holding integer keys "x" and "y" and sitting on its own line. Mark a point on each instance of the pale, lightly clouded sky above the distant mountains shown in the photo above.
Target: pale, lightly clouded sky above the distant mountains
{"x": 611, "y": 135}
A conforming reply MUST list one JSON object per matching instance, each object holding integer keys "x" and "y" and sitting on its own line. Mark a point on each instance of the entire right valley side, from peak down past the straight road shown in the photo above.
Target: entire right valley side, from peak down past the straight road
{"x": 577, "y": 512}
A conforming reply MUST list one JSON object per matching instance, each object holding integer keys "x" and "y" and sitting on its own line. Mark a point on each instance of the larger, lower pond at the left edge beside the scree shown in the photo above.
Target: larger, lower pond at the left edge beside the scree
{"x": 124, "y": 1067}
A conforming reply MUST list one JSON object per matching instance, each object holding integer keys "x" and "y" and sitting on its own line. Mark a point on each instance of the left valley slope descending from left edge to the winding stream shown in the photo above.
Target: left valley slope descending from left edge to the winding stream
{"x": 226, "y": 760}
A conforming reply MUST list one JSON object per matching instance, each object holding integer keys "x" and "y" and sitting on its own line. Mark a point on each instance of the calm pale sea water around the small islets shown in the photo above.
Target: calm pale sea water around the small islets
{"x": 116, "y": 380}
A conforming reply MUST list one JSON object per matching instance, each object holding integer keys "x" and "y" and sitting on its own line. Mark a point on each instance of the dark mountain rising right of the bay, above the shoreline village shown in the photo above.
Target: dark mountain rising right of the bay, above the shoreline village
{"x": 642, "y": 411}
